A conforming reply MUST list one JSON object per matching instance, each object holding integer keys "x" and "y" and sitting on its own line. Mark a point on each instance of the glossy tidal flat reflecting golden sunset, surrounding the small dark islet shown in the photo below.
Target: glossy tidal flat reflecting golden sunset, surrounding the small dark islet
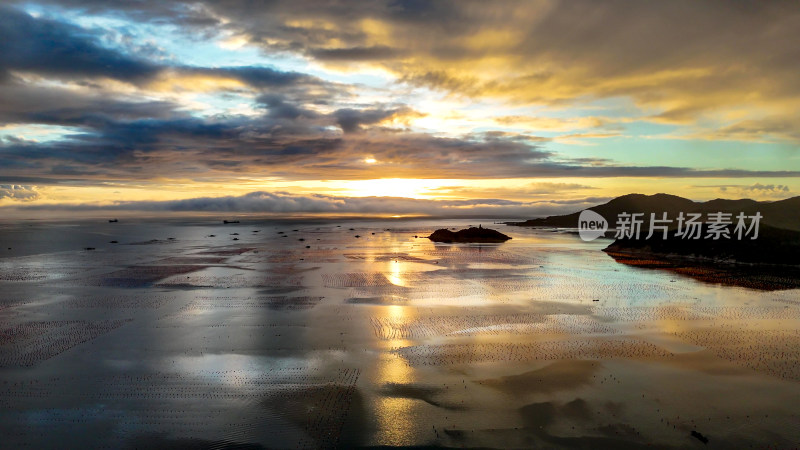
{"x": 321, "y": 334}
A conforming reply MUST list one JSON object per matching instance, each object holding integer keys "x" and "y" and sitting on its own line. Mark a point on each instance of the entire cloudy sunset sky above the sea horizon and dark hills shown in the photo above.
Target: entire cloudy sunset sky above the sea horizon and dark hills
{"x": 506, "y": 109}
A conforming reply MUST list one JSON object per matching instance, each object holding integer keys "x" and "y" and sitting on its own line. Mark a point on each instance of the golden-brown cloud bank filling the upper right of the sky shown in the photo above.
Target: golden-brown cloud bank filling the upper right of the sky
{"x": 682, "y": 59}
